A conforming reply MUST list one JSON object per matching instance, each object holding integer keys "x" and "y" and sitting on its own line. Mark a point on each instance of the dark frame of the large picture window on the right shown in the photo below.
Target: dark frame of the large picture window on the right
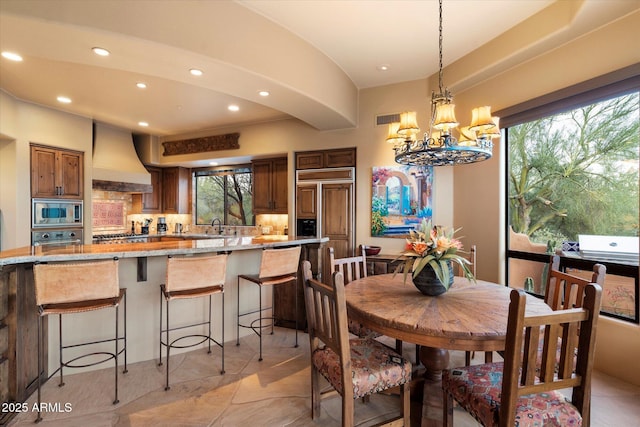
{"x": 617, "y": 83}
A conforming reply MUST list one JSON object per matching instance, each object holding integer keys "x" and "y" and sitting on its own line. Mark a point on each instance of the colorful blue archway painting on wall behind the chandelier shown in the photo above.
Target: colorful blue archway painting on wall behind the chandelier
{"x": 401, "y": 199}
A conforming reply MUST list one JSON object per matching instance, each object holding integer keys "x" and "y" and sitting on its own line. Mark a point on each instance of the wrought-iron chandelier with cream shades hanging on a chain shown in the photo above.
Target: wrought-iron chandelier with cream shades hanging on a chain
{"x": 439, "y": 147}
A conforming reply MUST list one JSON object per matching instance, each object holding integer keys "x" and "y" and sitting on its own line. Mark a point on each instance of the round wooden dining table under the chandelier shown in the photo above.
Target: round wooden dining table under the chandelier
{"x": 469, "y": 316}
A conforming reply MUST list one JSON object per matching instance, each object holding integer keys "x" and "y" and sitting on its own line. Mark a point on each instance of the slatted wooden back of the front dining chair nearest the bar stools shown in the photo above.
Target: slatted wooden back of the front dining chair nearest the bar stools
{"x": 327, "y": 321}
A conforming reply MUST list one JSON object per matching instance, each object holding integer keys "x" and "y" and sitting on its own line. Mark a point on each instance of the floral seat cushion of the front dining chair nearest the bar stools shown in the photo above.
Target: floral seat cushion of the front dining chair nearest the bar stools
{"x": 374, "y": 367}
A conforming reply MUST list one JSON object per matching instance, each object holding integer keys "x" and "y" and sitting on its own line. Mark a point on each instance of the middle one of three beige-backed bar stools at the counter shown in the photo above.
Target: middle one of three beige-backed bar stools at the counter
{"x": 192, "y": 277}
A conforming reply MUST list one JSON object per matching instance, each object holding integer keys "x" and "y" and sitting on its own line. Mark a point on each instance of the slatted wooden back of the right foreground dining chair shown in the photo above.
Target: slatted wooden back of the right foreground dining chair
{"x": 520, "y": 376}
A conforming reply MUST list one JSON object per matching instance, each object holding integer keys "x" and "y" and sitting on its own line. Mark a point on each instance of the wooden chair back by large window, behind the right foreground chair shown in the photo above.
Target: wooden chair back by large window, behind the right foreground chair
{"x": 567, "y": 291}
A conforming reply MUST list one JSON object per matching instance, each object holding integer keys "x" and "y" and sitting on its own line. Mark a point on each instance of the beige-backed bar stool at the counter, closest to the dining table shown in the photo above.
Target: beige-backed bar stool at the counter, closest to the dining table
{"x": 277, "y": 266}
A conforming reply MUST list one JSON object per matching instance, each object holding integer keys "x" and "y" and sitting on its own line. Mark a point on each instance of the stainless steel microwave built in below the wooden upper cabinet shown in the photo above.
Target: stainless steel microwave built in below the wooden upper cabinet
{"x": 56, "y": 213}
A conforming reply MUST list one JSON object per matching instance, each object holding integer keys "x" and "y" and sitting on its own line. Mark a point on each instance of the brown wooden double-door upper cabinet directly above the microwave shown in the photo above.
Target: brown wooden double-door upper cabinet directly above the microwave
{"x": 56, "y": 173}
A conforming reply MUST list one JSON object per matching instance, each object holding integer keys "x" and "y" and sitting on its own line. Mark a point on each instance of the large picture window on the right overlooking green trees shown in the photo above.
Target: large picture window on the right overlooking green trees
{"x": 573, "y": 170}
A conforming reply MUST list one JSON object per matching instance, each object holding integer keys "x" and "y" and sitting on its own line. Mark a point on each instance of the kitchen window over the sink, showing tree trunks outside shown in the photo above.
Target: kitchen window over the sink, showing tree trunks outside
{"x": 224, "y": 195}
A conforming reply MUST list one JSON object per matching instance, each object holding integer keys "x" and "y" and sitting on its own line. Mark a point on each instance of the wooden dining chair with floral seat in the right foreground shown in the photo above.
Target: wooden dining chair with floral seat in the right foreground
{"x": 515, "y": 392}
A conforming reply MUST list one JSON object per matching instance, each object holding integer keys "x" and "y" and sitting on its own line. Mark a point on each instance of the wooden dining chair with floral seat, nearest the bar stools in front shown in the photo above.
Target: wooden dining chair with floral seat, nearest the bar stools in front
{"x": 354, "y": 367}
